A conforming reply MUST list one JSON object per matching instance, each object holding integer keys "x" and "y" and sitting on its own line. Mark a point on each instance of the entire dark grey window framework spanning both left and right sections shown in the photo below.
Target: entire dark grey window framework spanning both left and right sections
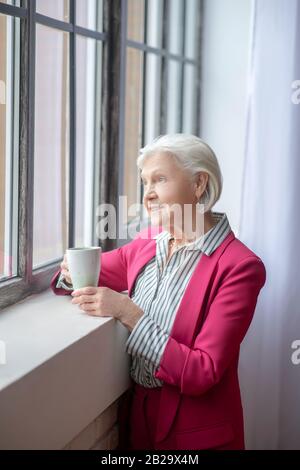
{"x": 110, "y": 165}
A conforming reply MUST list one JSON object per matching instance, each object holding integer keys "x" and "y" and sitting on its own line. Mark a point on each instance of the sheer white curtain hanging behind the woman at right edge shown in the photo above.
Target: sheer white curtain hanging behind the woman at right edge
{"x": 270, "y": 225}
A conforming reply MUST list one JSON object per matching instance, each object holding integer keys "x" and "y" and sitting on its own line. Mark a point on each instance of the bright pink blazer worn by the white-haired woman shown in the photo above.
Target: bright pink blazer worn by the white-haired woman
{"x": 200, "y": 400}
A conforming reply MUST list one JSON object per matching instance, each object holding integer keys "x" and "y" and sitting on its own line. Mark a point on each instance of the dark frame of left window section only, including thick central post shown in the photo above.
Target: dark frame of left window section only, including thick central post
{"x": 29, "y": 281}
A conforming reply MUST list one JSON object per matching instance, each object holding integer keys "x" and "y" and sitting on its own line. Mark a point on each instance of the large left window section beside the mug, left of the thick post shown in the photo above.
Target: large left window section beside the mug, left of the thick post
{"x": 51, "y": 126}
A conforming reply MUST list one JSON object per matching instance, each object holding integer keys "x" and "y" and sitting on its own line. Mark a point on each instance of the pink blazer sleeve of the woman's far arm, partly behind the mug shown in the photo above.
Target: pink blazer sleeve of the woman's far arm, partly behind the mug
{"x": 113, "y": 272}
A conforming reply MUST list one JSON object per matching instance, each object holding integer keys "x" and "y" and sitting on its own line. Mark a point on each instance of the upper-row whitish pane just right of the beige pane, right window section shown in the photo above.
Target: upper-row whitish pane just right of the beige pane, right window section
{"x": 154, "y": 23}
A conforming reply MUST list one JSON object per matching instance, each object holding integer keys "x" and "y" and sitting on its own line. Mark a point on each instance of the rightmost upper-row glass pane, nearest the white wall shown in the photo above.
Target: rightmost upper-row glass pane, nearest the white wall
{"x": 192, "y": 27}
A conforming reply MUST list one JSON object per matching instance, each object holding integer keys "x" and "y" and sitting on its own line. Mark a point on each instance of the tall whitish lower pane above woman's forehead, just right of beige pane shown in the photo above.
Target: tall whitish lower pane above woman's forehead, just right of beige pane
{"x": 152, "y": 97}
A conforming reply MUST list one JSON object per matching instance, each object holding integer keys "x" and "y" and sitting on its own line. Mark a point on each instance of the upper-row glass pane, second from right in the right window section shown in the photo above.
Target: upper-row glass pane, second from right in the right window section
{"x": 175, "y": 30}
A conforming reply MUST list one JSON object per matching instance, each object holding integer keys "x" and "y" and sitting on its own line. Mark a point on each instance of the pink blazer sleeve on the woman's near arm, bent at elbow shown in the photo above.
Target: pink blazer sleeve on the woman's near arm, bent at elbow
{"x": 195, "y": 370}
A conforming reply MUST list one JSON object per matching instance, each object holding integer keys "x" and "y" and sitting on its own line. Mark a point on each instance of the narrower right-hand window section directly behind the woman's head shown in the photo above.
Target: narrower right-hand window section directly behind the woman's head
{"x": 162, "y": 45}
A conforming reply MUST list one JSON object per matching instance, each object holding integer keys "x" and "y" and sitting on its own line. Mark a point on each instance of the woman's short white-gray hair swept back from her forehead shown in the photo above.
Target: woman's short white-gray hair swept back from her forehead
{"x": 194, "y": 155}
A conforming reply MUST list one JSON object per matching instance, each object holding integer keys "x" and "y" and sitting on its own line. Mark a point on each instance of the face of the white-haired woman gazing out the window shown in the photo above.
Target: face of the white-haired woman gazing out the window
{"x": 166, "y": 183}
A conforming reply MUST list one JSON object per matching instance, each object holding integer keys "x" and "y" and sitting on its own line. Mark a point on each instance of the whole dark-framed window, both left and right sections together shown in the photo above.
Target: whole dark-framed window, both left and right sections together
{"x": 83, "y": 84}
